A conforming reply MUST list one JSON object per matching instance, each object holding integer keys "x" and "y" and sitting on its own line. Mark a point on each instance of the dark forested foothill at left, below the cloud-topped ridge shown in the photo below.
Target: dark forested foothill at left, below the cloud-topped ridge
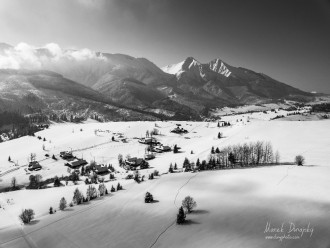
{"x": 50, "y": 93}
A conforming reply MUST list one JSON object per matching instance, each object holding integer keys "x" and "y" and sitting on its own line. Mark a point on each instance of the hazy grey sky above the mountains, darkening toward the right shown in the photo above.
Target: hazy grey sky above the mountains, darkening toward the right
{"x": 287, "y": 39}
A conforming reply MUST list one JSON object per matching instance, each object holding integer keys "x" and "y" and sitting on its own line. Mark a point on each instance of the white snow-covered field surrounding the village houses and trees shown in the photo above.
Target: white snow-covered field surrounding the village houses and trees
{"x": 233, "y": 209}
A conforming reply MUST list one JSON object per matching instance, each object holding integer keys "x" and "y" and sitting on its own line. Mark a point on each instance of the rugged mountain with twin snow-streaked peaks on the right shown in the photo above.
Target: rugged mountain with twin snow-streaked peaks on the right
{"x": 217, "y": 83}
